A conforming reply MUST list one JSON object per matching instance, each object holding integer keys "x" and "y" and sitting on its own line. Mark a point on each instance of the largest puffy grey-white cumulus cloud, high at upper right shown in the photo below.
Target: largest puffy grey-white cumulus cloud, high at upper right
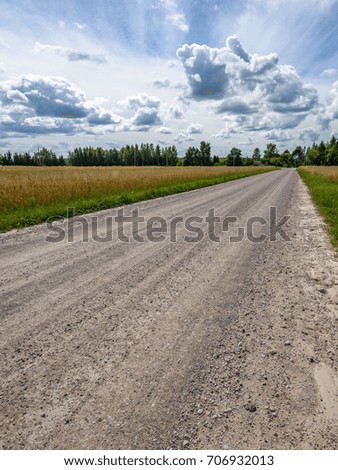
{"x": 232, "y": 72}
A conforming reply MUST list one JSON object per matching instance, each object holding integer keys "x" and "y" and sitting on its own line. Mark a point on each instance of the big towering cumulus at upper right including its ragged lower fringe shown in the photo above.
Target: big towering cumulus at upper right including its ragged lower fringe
{"x": 246, "y": 84}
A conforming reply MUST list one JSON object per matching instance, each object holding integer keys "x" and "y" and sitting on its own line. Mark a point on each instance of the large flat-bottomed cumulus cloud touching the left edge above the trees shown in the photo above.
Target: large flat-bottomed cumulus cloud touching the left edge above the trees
{"x": 34, "y": 104}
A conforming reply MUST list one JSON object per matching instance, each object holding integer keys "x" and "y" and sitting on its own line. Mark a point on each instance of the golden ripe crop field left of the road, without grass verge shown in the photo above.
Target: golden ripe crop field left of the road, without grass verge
{"x": 26, "y": 186}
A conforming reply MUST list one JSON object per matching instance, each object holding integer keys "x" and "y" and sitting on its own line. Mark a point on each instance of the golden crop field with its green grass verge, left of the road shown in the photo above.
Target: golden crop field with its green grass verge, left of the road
{"x": 30, "y": 195}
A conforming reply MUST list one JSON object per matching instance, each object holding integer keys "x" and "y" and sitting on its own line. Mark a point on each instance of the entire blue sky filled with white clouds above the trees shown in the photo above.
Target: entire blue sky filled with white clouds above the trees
{"x": 175, "y": 72}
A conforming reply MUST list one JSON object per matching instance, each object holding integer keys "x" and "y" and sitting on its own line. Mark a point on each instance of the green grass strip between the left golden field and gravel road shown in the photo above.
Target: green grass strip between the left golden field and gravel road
{"x": 14, "y": 218}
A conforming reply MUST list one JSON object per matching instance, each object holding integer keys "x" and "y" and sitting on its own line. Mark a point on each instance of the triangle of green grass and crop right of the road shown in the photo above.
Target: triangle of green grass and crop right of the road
{"x": 323, "y": 187}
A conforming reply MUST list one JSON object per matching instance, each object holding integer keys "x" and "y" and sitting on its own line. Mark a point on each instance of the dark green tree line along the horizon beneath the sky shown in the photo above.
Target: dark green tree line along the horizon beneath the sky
{"x": 150, "y": 155}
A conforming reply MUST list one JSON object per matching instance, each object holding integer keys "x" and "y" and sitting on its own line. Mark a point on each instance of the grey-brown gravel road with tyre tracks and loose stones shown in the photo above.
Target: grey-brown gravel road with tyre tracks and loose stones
{"x": 171, "y": 345}
